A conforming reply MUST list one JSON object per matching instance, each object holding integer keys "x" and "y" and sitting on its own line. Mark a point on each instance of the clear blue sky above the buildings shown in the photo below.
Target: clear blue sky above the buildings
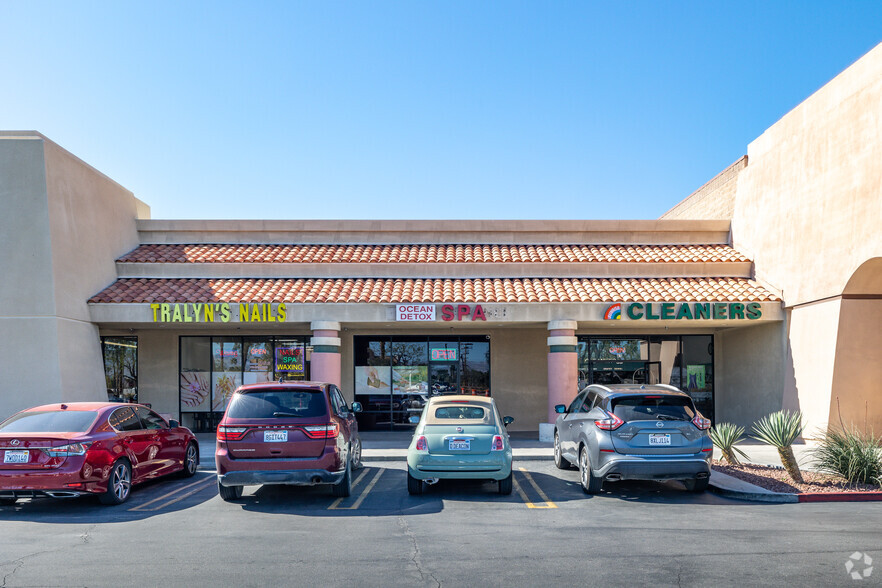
{"x": 520, "y": 110}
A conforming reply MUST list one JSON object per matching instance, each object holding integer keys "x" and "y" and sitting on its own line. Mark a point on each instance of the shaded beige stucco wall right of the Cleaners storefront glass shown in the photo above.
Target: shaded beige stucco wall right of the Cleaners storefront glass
{"x": 749, "y": 377}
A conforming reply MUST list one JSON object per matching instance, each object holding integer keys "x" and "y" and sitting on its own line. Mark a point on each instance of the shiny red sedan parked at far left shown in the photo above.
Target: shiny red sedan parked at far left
{"x": 79, "y": 448}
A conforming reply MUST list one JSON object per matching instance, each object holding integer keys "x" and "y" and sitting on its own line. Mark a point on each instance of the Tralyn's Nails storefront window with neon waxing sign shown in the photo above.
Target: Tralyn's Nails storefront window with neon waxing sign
{"x": 211, "y": 368}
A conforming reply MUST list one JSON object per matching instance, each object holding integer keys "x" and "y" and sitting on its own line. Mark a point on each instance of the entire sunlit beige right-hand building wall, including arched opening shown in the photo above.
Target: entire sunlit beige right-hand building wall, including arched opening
{"x": 808, "y": 210}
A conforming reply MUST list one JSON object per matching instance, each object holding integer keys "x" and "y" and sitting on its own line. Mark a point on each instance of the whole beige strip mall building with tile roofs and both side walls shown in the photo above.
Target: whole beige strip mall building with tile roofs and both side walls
{"x": 761, "y": 290}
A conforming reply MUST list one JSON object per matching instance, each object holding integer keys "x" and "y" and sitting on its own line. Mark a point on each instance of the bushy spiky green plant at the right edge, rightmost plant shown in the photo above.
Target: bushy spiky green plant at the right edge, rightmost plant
{"x": 850, "y": 454}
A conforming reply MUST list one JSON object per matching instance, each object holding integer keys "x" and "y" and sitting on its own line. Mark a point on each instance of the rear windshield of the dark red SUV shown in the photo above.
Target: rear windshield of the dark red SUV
{"x": 281, "y": 403}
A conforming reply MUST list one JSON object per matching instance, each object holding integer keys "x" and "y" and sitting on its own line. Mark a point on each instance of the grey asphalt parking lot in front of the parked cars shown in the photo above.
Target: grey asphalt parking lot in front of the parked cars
{"x": 547, "y": 531}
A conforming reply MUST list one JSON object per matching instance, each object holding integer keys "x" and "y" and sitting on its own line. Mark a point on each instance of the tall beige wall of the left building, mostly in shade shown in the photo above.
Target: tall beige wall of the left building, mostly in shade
{"x": 64, "y": 224}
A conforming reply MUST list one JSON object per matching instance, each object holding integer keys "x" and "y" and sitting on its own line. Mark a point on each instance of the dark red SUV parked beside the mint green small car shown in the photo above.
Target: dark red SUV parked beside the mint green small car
{"x": 300, "y": 433}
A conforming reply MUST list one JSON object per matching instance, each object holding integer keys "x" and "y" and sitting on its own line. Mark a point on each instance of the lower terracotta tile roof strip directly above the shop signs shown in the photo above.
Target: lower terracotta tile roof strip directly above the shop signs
{"x": 369, "y": 290}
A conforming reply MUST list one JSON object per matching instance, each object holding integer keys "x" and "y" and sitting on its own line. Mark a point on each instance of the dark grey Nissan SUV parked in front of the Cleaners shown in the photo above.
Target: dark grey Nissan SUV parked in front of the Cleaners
{"x": 633, "y": 432}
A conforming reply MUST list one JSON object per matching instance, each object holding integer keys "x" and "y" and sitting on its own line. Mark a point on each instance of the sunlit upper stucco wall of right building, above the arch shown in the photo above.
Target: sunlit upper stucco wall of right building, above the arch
{"x": 812, "y": 194}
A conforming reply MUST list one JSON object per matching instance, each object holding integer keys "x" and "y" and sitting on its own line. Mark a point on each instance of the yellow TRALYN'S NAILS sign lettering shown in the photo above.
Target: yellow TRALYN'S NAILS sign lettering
{"x": 219, "y": 312}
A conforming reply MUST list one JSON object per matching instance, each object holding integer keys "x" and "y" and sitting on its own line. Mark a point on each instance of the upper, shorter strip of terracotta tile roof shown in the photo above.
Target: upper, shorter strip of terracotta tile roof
{"x": 159, "y": 253}
